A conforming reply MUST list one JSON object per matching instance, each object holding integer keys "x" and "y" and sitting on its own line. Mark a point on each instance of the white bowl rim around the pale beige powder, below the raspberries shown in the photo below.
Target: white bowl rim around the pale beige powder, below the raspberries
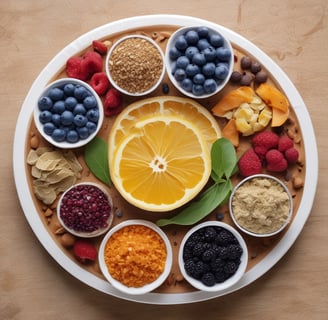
{"x": 254, "y": 195}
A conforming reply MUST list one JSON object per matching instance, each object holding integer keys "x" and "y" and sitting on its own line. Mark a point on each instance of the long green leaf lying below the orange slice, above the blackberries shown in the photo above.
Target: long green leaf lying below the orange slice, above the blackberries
{"x": 197, "y": 210}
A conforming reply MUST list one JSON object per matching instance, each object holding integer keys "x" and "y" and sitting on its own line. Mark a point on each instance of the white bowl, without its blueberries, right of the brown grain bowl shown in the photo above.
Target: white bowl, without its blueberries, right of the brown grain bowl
{"x": 170, "y": 63}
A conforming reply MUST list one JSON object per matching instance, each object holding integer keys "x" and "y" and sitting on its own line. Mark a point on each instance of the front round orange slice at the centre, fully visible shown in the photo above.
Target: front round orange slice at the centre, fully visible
{"x": 162, "y": 164}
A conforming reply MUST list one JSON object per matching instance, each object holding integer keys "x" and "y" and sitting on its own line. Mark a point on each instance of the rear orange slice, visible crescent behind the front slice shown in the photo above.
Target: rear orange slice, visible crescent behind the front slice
{"x": 163, "y": 105}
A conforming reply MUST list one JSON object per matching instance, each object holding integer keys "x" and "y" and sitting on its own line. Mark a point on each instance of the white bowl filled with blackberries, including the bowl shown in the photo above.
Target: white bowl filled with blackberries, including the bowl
{"x": 213, "y": 256}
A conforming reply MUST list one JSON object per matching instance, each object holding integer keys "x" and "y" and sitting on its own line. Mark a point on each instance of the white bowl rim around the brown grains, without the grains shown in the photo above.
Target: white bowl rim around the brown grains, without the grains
{"x": 125, "y": 90}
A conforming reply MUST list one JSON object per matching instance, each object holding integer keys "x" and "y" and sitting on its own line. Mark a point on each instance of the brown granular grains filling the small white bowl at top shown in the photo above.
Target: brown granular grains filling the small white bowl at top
{"x": 135, "y": 65}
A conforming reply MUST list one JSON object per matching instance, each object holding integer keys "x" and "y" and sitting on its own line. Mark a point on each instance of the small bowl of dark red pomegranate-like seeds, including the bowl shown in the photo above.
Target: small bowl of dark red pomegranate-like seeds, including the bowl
{"x": 85, "y": 210}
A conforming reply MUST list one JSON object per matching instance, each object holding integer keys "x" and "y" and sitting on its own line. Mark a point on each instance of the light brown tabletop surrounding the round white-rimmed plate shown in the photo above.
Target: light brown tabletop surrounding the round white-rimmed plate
{"x": 33, "y": 286}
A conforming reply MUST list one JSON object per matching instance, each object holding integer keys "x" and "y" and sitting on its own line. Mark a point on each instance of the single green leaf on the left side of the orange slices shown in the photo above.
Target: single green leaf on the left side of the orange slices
{"x": 96, "y": 158}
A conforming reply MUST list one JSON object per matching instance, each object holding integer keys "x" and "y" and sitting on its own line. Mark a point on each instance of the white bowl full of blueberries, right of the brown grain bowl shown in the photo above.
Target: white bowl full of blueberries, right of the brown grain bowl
{"x": 199, "y": 61}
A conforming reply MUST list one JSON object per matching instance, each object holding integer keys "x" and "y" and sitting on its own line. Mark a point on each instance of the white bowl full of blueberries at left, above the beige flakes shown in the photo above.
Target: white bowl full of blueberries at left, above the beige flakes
{"x": 68, "y": 113}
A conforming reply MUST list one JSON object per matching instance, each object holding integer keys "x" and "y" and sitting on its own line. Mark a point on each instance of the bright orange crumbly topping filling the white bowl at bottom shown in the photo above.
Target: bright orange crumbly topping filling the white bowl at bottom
{"x": 135, "y": 255}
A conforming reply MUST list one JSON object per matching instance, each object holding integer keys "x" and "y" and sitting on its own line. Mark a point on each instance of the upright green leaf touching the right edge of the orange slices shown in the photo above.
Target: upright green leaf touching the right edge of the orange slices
{"x": 224, "y": 159}
